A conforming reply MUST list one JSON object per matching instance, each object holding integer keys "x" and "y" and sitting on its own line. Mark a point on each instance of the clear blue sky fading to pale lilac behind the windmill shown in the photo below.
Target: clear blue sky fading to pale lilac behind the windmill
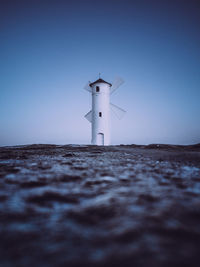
{"x": 50, "y": 49}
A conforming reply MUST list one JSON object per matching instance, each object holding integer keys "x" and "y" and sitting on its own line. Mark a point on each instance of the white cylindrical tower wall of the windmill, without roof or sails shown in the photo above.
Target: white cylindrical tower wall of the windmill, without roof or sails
{"x": 101, "y": 114}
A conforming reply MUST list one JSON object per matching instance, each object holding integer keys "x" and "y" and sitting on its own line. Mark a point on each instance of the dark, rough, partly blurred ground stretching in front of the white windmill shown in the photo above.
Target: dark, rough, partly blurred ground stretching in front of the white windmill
{"x": 100, "y": 206}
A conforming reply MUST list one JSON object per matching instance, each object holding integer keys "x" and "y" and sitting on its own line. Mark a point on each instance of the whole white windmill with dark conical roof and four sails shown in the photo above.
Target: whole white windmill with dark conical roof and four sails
{"x": 99, "y": 116}
